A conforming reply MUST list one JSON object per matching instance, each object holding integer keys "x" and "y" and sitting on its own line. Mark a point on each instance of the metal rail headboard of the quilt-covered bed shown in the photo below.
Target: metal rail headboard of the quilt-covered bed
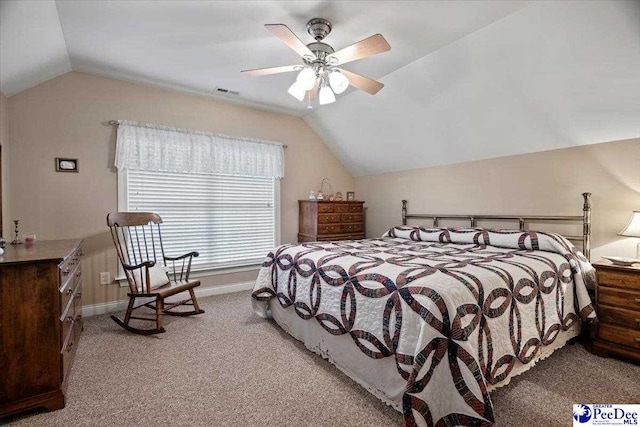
{"x": 585, "y": 218}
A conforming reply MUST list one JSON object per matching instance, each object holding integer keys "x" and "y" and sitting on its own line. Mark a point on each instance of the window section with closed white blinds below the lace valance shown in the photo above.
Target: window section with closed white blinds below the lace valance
{"x": 231, "y": 220}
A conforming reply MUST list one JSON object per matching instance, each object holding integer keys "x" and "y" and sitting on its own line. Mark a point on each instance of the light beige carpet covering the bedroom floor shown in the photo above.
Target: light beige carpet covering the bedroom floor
{"x": 228, "y": 367}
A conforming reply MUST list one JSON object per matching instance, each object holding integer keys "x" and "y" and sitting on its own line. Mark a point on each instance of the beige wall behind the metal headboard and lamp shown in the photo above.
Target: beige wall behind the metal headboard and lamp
{"x": 545, "y": 183}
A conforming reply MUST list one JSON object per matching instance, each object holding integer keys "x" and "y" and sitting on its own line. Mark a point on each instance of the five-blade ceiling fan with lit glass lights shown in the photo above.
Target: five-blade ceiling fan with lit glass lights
{"x": 320, "y": 72}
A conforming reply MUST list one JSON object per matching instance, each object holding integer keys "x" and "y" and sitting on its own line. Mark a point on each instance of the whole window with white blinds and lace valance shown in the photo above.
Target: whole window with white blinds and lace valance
{"x": 217, "y": 194}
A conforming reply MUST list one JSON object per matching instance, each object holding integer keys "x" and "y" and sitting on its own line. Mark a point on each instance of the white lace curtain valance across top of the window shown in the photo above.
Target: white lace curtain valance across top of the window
{"x": 142, "y": 146}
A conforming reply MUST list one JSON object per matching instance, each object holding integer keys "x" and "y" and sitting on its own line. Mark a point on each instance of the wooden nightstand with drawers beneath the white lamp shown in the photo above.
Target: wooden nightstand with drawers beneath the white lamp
{"x": 618, "y": 309}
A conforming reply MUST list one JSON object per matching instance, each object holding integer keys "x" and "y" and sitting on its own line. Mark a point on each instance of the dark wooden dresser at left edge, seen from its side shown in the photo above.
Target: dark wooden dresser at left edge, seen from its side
{"x": 40, "y": 323}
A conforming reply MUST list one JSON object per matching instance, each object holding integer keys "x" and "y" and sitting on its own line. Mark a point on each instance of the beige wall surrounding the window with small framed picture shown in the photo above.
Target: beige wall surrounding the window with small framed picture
{"x": 64, "y": 118}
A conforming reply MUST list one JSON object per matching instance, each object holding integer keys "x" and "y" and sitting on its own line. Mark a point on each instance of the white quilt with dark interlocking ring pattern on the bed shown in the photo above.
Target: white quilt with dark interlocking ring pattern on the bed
{"x": 456, "y": 308}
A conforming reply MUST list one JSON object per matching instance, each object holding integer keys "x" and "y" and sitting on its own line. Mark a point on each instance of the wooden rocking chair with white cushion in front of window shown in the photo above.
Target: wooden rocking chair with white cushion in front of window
{"x": 139, "y": 246}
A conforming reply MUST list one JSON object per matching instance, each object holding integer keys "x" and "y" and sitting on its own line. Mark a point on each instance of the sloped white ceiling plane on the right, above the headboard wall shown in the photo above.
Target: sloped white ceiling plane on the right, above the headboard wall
{"x": 554, "y": 75}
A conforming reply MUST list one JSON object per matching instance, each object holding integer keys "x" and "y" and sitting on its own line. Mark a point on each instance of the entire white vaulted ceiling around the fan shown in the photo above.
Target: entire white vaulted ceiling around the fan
{"x": 464, "y": 80}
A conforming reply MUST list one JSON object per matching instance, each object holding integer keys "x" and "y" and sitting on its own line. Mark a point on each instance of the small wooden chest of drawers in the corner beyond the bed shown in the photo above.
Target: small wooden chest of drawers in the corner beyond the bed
{"x": 324, "y": 220}
